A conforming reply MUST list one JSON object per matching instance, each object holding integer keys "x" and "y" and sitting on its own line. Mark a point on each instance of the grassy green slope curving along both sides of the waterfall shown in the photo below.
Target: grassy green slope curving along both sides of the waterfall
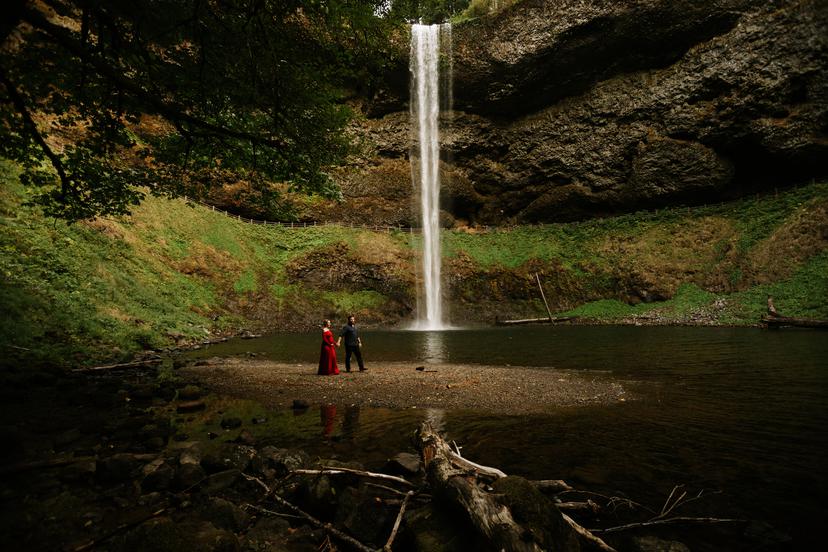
{"x": 105, "y": 289}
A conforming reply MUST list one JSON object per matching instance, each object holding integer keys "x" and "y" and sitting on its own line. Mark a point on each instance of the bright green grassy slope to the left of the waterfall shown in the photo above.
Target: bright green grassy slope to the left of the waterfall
{"x": 171, "y": 272}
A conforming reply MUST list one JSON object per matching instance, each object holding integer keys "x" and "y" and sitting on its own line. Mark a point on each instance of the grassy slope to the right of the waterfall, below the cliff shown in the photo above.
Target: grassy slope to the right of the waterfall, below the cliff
{"x": 719, "y": 261}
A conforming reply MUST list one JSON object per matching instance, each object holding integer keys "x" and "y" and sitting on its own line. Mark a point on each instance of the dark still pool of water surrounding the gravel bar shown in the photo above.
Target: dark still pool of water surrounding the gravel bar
{"x": 736, "y": 410}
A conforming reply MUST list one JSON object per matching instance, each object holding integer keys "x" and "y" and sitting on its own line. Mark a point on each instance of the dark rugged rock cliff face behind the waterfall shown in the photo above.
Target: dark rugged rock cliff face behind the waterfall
{"x": 566, "y": 109}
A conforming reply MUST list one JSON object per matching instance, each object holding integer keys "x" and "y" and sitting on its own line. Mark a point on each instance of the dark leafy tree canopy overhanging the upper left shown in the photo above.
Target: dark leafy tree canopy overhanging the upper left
{"x": 101, "y": 100}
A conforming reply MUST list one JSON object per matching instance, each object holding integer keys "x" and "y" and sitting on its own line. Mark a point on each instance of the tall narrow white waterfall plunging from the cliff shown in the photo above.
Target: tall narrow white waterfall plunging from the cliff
{"x": 425, "y": 161}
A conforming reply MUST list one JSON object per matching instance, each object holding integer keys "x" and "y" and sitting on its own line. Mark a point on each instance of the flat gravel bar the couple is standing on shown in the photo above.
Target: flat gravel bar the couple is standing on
{"x": 500, "y": 389}
